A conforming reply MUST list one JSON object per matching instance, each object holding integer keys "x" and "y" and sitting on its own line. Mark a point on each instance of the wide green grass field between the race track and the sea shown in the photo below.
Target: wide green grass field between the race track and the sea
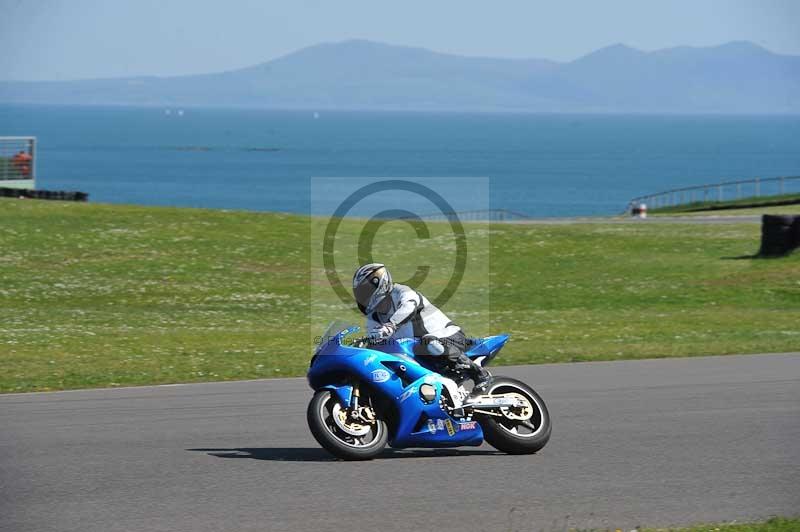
{"x": 99, "y": 295}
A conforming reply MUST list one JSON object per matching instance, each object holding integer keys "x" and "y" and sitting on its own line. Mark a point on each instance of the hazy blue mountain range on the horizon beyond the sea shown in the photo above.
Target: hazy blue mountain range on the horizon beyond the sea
{"x": 738, "y": 77}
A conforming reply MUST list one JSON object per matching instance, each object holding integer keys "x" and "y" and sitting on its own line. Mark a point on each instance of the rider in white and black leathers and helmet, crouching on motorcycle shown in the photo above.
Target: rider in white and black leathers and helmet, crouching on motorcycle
{"x": 395, "y": 311}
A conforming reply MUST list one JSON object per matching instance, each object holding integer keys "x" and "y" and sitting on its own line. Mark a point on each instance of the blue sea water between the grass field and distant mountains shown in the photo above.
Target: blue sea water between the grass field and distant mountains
{"x": 539, "y": 165}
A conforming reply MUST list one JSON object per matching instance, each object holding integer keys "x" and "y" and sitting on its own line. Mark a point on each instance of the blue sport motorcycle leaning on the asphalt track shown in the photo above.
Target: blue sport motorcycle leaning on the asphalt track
{"x": 369, "y": 394}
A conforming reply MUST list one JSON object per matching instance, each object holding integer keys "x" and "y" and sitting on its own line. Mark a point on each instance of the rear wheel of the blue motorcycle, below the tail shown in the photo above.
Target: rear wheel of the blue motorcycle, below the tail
{"x": 517, "y": 431}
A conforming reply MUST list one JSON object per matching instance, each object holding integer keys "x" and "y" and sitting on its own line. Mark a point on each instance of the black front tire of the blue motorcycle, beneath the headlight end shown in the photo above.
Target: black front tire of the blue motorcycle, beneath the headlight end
{"x": 333, "y": 439}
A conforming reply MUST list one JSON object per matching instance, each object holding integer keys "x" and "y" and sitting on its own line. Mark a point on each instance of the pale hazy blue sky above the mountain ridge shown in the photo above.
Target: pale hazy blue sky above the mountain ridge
{"x": 63, "y": 39}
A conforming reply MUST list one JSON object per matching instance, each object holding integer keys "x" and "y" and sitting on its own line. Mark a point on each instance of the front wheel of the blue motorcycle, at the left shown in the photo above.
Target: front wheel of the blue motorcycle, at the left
{"x": 339, "y": 434}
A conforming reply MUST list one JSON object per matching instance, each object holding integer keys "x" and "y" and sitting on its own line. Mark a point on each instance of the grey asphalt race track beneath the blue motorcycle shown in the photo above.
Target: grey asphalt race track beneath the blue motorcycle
{"x": 654, "y": 442}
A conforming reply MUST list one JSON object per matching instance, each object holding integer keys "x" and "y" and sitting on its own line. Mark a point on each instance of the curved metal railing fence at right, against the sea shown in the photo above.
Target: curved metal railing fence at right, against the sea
{"x": 718, "y": 192}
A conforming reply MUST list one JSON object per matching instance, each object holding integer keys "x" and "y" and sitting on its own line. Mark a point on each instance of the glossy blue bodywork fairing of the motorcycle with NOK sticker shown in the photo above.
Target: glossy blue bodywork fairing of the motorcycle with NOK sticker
{"x": 419, "y": 424}
